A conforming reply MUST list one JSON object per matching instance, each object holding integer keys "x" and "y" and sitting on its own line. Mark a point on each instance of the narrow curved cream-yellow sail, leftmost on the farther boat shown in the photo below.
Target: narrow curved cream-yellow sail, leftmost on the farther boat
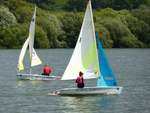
{"x": 22, "y": 54}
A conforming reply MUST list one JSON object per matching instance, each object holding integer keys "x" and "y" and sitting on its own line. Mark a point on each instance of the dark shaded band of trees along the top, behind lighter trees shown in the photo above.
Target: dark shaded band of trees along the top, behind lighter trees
{"x": 79, "y": 5}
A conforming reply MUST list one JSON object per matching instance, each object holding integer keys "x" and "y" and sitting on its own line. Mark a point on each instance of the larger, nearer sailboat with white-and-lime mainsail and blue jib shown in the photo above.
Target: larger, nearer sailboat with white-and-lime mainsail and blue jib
{"x": 89, "y": 57}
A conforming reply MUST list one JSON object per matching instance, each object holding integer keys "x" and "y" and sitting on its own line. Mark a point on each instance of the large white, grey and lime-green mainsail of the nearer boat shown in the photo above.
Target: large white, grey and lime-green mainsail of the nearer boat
{"x": 84, "y": 57}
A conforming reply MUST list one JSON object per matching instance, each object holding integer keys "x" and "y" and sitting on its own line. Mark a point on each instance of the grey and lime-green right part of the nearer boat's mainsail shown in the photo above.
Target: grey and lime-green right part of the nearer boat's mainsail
{"x": 88, "y": 42}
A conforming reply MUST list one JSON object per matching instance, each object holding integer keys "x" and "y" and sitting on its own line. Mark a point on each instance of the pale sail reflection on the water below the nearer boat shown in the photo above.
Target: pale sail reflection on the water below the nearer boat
{"x": 88, "y": 104}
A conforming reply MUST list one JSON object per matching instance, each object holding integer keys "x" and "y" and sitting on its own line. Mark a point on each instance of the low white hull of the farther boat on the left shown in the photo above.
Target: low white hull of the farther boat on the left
{"x": 21, "y": 76}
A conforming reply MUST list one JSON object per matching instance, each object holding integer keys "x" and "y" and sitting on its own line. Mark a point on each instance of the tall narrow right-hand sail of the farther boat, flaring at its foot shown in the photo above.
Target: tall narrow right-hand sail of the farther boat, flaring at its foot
{"x": 35, "y": 60}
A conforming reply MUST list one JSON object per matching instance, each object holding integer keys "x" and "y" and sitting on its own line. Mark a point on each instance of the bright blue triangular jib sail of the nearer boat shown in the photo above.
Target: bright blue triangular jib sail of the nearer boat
{"x": 107, "y": 77}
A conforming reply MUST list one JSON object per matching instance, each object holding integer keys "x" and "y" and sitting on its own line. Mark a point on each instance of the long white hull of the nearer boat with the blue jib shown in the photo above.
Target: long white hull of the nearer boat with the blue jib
{"x": 111, "y": 90}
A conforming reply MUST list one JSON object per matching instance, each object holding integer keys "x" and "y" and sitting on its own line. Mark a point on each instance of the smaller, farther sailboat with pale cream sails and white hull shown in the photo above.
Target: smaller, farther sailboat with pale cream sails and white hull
{"x": 34, "y": 58}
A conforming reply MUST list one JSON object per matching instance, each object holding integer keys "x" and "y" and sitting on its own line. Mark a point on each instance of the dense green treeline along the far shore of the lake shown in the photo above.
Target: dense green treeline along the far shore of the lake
{"x": 120, "y": 23}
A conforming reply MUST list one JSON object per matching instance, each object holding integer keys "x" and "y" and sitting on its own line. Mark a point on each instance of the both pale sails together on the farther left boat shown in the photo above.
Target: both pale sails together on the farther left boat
{"x": 34, "y": 59}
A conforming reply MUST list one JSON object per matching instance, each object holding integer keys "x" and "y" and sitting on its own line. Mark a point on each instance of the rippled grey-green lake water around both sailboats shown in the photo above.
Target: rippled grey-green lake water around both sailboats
{"x": 131, "y": 66}
